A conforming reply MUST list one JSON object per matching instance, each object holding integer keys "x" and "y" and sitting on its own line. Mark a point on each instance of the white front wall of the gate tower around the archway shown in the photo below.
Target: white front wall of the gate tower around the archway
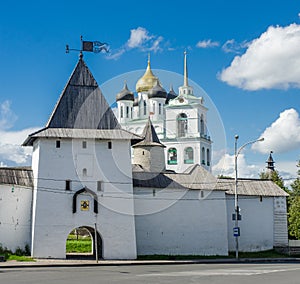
{"x": 54, "y": 218}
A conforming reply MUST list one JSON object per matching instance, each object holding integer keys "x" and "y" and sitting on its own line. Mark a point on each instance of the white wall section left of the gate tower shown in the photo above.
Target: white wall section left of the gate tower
{"x": 15, "y": 216}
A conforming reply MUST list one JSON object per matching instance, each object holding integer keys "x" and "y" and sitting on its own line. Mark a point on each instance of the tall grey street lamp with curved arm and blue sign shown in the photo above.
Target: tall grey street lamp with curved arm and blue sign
{"x": 236, "y": 229}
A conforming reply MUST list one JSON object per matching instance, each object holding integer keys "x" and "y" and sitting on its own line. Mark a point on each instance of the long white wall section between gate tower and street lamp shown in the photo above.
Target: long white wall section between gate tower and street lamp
{"x": 178, "y": 222}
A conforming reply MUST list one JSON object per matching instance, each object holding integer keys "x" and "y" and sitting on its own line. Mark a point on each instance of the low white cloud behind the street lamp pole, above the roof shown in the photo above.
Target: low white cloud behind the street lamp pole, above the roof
{"x": 225, "y": 167}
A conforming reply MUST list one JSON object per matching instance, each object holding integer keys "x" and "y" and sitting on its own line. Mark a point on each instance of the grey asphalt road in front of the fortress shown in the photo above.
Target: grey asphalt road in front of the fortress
{"x": 192, "y": 273}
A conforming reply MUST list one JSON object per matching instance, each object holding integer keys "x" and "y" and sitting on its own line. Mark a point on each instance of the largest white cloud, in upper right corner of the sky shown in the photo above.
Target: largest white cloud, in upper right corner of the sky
{"x": 270, "y": 61}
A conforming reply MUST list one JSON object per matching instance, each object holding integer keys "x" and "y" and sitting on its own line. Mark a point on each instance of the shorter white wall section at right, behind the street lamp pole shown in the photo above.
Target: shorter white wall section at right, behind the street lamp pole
{"x": 256, "y": 226}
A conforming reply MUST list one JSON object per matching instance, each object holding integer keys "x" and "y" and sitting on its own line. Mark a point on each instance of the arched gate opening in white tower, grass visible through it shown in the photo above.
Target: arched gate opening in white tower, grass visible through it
{"x": 81, "y": 244}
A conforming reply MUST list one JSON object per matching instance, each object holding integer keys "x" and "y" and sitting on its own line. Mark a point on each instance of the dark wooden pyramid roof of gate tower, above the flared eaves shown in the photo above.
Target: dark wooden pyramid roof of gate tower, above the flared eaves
{"x": 82, "y": 104}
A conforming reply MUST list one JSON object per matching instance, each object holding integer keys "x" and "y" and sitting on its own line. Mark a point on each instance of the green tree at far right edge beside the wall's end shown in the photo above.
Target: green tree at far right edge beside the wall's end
{"x": 294, "y": 207}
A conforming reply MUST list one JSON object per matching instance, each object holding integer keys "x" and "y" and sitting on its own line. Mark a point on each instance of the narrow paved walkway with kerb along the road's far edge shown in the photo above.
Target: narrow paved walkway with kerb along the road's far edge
{"x": 70, "y": 263}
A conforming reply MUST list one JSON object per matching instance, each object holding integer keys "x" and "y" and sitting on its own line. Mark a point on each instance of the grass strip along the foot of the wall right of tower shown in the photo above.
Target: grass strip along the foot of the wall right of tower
{"x": 262, "y": 254}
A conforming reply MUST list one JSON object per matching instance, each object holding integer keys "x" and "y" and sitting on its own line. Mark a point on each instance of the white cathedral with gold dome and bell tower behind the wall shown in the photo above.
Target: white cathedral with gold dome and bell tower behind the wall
{"x": 179, "y": 119}
